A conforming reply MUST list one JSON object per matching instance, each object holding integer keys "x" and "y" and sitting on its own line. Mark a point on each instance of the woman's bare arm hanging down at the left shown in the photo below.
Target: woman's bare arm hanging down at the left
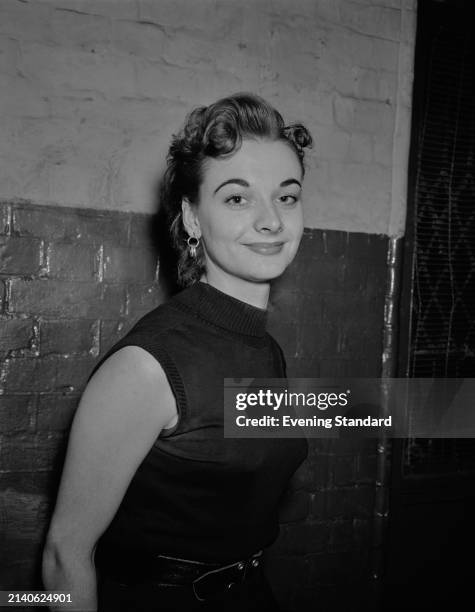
{"x": 123, "y": 409}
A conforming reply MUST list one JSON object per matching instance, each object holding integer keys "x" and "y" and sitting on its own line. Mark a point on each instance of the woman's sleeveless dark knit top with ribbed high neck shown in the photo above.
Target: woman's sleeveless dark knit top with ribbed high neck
{"x": 198, "y": 495}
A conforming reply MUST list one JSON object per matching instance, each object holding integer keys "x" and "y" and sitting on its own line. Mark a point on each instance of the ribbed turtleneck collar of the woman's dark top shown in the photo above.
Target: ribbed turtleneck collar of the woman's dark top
{"x": 223, "y": 310}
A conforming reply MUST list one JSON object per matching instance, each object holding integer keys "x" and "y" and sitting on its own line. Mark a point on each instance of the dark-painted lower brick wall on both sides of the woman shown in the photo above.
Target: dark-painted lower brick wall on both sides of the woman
{"x": 73, "y": 281}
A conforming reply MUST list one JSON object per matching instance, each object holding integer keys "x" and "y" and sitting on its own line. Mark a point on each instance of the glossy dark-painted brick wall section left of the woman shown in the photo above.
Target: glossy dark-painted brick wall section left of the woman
{"x": 71, "y": 283}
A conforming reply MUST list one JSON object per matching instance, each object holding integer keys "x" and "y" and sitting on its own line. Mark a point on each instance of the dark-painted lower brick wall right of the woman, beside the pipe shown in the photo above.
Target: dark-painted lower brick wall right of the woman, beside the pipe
{"x": 327, "y": 313}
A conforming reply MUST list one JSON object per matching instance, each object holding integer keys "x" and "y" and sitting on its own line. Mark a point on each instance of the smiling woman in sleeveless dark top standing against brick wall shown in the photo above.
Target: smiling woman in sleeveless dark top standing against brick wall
{"x": 156, "y": 510}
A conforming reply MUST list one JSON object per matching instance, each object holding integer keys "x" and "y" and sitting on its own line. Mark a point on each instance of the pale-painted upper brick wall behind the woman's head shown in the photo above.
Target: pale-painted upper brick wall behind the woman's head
{"x": 91, "y": 91}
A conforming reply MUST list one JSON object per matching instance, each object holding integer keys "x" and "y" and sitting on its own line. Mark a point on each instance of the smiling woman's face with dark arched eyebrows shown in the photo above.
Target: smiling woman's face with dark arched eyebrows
{"x": 249, "y": 214}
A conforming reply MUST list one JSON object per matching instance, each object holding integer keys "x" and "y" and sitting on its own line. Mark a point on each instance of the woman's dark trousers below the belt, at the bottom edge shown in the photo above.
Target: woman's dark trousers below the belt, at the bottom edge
{"x": 253, "y": 595}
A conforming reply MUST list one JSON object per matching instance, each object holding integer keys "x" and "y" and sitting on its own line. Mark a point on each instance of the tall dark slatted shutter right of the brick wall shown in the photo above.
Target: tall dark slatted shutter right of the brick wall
{"x": 441, "y": 219}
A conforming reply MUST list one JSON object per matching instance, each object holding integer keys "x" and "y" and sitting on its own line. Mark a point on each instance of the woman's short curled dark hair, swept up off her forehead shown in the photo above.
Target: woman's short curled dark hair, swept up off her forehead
{"x": 216, "y": 131}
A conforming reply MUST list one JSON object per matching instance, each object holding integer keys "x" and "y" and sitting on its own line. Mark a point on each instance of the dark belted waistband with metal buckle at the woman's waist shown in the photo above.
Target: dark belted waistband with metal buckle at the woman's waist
{"x": 204, "y": 577}
